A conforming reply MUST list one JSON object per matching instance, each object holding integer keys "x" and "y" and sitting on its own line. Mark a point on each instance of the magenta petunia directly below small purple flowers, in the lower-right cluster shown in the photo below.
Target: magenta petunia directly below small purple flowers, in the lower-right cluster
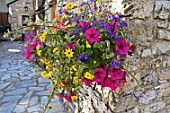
{"x": 116, "y": 73}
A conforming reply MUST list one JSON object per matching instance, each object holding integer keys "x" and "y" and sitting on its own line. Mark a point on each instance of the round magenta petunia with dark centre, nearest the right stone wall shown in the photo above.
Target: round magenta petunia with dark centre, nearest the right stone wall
{"x": 122, "y": 46}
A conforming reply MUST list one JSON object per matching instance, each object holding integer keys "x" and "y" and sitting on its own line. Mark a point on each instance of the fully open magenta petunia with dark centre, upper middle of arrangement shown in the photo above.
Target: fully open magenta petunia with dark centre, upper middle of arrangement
{"x": 92, "y": 35}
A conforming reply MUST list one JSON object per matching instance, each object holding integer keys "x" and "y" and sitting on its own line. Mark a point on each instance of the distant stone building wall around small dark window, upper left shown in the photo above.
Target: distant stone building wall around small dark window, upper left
{"x": 18, "y": 9}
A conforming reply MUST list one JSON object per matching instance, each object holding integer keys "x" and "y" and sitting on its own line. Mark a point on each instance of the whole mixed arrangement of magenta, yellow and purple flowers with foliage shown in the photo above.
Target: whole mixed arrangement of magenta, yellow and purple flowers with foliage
{"x": 87, "y": 43}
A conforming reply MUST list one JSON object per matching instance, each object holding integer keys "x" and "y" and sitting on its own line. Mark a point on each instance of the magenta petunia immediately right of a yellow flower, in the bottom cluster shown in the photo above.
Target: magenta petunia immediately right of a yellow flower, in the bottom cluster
{"x": 100, "y": 74}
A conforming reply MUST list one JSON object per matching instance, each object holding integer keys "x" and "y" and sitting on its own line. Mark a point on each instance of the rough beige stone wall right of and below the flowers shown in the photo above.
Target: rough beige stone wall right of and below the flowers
{"x": 148, "y": 86}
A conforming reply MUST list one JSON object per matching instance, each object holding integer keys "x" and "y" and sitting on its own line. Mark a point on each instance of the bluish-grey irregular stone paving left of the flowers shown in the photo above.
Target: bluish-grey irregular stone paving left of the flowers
{"x": 21, "y": 91}
